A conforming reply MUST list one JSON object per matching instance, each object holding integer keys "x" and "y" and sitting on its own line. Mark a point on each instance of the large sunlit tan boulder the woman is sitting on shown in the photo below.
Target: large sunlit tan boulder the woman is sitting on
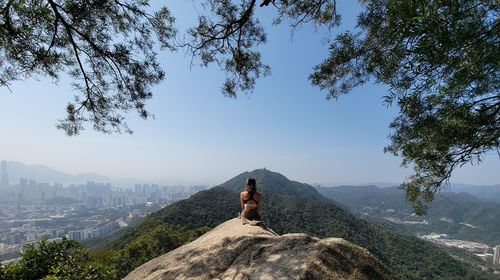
{"x": 236, "y": 251}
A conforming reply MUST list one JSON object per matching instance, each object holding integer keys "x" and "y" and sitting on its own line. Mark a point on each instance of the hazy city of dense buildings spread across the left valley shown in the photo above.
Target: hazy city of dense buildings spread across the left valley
{"x": 31, "y": 211}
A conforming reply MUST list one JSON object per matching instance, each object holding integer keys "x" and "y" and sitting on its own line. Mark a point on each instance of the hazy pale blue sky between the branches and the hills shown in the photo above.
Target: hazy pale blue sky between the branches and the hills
{"x": 199, "y": 136}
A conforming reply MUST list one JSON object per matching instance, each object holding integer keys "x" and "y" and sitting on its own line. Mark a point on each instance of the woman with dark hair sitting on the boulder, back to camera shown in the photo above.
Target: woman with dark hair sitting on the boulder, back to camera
{"x": 250, "y": 202}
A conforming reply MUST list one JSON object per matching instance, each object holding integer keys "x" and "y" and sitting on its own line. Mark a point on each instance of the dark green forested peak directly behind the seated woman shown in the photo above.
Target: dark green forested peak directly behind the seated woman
{"x": 291, "y": 207}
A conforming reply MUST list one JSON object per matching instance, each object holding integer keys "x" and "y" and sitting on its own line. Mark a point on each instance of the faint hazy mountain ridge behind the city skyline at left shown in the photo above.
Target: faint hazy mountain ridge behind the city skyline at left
{"x": 43, "y": 174}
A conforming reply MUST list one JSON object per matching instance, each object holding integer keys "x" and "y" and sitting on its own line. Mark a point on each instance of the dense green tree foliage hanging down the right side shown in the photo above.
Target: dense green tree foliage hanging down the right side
{"x": 441, "y": 61}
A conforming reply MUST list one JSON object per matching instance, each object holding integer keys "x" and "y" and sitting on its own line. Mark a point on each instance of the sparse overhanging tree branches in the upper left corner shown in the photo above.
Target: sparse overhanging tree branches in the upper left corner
{"x": 106, "y": 47}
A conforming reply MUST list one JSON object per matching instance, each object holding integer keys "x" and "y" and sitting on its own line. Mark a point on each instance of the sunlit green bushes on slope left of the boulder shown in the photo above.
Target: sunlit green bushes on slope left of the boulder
{"x": 69, "y": 260}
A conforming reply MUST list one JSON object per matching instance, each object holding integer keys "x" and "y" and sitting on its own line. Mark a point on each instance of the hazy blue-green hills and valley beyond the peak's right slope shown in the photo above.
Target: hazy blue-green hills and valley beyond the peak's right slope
{"x": 460, "y": 215}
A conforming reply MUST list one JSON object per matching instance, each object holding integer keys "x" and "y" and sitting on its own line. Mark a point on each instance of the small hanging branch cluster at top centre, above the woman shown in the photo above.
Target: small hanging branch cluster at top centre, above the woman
{"x": 230, "y": 34}
